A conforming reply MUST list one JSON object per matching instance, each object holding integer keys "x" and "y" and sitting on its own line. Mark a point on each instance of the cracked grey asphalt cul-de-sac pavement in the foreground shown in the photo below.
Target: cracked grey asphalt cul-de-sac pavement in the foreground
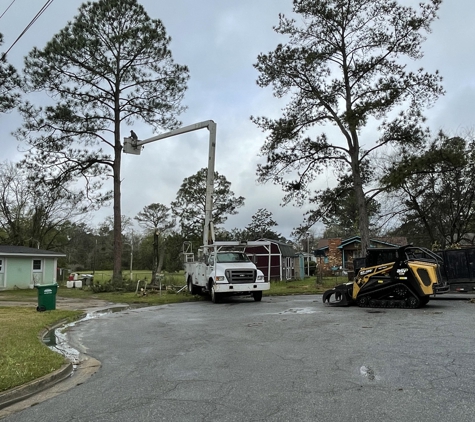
{"x": 283, "y": 359}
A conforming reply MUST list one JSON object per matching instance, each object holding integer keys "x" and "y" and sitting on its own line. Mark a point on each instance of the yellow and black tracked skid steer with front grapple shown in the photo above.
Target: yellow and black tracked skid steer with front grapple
{"x": 402, "y": 277}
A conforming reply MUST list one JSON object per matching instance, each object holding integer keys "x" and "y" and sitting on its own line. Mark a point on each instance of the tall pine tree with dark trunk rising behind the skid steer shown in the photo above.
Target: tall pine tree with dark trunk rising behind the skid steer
{"x": 342, "y": 67}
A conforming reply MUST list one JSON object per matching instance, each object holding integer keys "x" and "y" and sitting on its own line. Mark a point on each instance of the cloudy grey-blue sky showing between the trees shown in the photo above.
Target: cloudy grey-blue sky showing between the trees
{"x": 219, "y": 41}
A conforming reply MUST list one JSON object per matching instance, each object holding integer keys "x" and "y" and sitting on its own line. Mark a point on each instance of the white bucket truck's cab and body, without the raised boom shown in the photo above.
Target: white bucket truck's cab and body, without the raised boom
{"x": 224, "y": 269}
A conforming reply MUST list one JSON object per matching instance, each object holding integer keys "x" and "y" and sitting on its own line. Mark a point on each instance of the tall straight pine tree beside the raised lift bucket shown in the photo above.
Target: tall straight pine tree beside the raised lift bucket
{"x": 107, "y": 68}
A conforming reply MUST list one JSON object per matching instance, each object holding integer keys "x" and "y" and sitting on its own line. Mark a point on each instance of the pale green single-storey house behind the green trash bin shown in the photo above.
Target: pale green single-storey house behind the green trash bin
{"x": 22, "y": 267}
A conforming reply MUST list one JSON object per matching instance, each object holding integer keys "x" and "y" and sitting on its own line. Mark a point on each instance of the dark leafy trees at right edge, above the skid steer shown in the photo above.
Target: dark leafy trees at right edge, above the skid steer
{"x": 435, "y": 187}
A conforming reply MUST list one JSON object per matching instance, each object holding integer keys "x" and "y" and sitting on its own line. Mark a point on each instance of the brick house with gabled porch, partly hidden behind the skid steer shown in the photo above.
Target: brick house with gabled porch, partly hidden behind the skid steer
{"x": 337, "y": 254}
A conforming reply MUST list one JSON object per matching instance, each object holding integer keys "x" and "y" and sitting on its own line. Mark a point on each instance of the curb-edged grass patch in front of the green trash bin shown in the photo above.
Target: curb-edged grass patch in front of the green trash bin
{"x": 23, "y": 356}
